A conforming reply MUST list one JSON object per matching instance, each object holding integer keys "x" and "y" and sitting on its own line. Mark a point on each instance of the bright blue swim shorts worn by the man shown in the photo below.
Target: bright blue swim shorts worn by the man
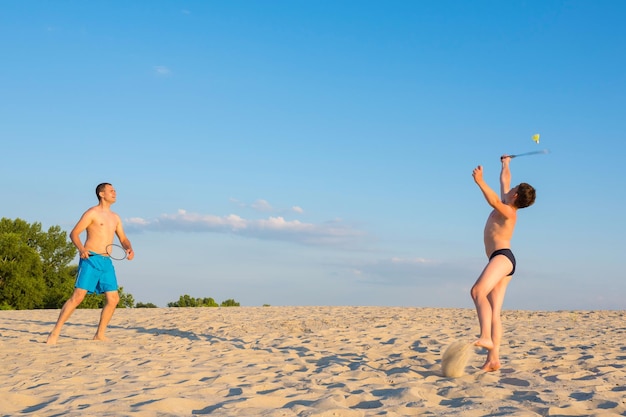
{"x": 96, "y": 274}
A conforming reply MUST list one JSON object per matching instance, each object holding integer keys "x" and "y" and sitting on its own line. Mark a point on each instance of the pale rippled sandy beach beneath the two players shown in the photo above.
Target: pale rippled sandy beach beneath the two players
{"x": 309, "y": 361}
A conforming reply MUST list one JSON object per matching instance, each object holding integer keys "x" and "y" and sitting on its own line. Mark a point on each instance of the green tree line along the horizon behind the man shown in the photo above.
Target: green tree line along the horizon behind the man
{"x": 36, "y": 271}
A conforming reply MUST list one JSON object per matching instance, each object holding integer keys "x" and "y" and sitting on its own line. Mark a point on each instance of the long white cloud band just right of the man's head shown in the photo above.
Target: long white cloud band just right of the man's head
{"x": 335, "y": 233}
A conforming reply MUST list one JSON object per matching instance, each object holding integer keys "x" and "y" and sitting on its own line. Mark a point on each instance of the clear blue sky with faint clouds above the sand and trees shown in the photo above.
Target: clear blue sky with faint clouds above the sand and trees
{"x": 320, "y": 152}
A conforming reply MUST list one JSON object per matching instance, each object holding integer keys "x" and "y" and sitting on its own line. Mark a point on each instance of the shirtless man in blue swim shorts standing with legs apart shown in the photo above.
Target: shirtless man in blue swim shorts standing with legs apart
{"x": 95, "y": 269}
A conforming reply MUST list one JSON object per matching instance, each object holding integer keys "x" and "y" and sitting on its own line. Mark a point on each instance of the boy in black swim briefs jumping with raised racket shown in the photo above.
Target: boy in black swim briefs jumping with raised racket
{"x": 488, "y": 291}
